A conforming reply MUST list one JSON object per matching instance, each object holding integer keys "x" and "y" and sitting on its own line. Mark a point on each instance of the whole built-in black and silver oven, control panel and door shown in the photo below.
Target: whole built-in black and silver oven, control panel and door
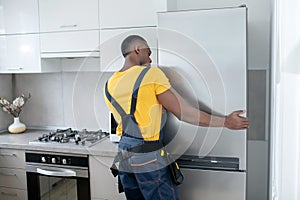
{"x": 57, "y": 176}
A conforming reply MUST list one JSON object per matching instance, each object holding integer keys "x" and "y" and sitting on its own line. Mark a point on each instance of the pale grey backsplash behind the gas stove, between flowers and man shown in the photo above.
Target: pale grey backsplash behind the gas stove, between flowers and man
{"x": 66, "y": 99}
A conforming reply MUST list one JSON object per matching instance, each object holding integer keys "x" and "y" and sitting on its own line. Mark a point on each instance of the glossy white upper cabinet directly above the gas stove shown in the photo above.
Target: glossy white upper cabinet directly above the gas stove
{"x": 69, "y": 28}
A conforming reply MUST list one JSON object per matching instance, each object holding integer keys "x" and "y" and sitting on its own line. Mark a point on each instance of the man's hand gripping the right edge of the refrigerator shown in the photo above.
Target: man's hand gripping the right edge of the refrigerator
{"x": 236, "y": 122}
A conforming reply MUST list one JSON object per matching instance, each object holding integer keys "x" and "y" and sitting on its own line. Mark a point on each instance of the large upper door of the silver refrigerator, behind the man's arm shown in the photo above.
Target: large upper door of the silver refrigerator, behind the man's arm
{"x": 203, "y": 53}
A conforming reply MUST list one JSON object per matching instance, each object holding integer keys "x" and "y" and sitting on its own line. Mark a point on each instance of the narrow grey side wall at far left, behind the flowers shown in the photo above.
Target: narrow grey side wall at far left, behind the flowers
{"x": 5, "y": 92}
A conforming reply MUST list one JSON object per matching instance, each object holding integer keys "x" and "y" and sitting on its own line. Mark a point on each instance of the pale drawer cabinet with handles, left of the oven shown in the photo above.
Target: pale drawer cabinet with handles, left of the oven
{"x": 13, "y": 185}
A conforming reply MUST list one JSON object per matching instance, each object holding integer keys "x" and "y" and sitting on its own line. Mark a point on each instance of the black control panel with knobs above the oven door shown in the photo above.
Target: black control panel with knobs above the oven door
{"x": 56, "y": 159}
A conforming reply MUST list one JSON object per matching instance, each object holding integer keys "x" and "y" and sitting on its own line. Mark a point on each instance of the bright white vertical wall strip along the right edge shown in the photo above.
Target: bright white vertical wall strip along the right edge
{"x": 286, "y": 101}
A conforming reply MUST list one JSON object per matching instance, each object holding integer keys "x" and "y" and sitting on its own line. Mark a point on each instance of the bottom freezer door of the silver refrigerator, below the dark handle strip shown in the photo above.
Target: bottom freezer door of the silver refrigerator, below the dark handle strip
{"x": 212, "y": 185}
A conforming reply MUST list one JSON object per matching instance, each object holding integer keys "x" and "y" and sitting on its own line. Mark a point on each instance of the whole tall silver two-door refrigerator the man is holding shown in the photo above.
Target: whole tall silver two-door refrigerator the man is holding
{"x": 203, "y": 53}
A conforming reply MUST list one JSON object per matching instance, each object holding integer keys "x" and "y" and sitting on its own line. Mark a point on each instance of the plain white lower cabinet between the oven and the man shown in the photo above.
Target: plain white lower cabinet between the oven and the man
{"x": 103, "y": 184}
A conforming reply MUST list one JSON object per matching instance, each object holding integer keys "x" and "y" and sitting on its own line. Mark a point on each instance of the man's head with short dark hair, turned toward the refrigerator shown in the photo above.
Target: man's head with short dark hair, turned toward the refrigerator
{"x": 136, "y": 46}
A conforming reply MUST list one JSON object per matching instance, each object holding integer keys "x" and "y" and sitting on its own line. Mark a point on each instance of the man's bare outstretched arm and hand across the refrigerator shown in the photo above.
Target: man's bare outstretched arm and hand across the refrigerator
{"x": 175, "y": 104}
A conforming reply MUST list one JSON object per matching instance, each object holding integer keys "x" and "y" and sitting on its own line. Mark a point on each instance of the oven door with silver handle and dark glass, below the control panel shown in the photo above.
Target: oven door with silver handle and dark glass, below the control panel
{"x": 57, "y": 183}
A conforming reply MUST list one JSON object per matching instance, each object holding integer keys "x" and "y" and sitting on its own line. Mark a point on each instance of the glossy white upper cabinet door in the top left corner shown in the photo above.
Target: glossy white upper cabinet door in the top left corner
{"x": 19, "y": 16}
